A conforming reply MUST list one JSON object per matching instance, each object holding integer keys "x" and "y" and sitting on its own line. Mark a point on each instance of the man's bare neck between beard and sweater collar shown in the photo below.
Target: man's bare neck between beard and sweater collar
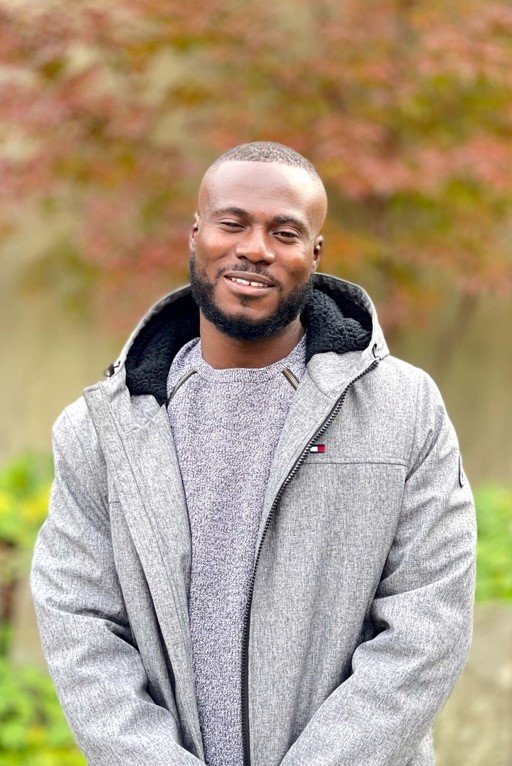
{"x": 222, "y": 352}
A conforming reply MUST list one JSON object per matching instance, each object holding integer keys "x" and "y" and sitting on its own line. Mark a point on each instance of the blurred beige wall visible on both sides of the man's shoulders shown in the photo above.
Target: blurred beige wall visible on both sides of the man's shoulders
{"x": 48, "y": 357}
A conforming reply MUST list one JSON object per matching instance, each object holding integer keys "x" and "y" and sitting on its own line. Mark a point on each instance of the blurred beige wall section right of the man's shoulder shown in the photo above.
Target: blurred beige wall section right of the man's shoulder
{"x": 469, "y": 354}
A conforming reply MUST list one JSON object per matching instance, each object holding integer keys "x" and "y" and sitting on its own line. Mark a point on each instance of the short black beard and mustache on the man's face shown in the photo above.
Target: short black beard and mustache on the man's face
{"x": 240, "y": 327}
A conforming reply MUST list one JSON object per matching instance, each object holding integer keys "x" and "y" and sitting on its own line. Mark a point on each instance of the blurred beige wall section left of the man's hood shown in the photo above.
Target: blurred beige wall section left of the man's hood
{"x": 46, "y": 360}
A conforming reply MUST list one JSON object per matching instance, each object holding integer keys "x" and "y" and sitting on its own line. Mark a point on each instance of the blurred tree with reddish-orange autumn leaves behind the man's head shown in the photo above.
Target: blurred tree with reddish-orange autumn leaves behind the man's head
{"x": 109, "y": 113}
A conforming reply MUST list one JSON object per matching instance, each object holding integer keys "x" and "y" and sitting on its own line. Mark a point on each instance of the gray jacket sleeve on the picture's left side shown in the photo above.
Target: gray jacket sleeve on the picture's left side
{"x": 85, "y": 632}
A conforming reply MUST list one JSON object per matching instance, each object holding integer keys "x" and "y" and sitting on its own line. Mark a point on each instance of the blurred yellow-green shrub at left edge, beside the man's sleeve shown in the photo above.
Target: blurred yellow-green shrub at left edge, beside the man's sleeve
{"x": 33, "y": 730}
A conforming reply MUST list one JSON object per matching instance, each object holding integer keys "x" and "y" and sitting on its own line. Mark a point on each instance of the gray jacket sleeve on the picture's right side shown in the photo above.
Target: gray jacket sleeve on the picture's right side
{"x": 422, "y": 611}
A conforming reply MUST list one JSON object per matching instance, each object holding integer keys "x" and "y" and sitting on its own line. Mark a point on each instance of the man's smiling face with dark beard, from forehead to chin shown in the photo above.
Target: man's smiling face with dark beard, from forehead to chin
{"x": 255, "y": 245}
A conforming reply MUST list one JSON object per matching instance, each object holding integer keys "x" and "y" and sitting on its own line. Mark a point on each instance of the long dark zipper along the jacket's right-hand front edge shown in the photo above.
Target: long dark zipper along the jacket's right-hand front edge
{"x": 247, "y": 615}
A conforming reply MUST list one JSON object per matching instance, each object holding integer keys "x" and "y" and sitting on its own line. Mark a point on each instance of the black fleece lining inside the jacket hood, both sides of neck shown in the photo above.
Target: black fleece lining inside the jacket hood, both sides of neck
{"x": 333, "y": 321}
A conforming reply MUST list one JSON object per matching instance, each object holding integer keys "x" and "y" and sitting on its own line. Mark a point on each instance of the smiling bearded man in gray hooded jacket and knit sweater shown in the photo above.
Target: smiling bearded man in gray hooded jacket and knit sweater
{"x": 260, "y": 544}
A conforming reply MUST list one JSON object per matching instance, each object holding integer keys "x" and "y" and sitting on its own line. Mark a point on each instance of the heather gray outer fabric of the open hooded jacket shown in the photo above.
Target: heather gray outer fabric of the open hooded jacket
{"x": 361, "y": 615}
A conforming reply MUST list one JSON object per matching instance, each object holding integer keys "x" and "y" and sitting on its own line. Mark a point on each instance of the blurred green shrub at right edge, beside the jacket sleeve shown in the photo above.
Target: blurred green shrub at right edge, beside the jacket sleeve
{"x": 494, "y": 551}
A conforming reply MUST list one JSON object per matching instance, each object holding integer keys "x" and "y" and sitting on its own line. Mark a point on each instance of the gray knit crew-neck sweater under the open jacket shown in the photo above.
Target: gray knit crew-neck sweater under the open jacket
{"x": 226, "y": 425}
